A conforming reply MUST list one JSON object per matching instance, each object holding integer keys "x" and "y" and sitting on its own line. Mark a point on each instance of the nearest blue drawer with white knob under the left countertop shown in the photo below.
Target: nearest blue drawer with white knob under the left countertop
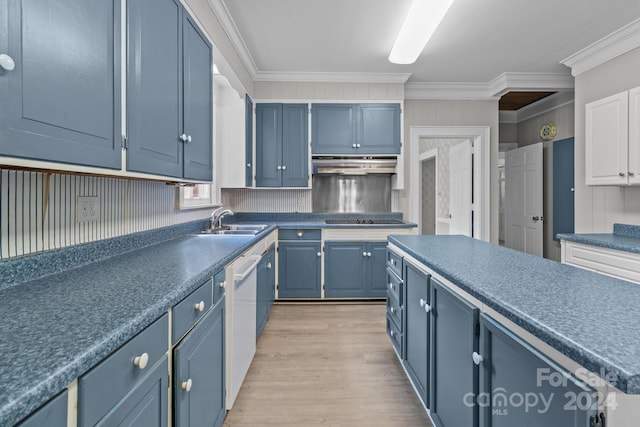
{"x": 100, "y": 389}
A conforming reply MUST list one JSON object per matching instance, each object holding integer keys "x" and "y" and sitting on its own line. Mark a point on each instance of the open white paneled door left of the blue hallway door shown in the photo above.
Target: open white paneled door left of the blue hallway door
{"x": 523, "y": 199}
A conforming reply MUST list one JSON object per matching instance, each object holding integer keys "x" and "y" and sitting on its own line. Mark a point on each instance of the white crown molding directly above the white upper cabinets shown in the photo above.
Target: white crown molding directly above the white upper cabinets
{"x": 609, "y": 47}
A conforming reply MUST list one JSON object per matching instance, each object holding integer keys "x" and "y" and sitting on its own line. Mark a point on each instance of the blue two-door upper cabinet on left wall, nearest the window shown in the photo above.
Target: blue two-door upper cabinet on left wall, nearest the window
{"x": 169, "y": 92}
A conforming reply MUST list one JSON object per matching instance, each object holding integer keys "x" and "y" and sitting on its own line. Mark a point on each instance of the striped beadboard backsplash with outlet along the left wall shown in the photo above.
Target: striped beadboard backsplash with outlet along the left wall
{"x": 38, "y": 210}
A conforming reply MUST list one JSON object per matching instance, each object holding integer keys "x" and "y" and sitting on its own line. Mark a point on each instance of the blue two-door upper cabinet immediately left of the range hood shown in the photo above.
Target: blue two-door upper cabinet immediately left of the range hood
{"x": 282, "y": 153}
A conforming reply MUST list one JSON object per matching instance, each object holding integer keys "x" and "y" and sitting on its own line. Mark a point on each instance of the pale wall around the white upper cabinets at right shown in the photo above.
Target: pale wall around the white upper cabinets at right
{"x": 598, "y": 208}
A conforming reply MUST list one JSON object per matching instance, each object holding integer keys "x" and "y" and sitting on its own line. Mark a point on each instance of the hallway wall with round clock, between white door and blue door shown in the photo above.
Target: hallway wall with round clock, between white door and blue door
{"x": 528, "y": 132}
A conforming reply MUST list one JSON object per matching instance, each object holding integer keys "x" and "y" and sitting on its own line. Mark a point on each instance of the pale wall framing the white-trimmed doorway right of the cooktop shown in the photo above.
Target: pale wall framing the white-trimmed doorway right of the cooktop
{"x": 453, "y": 113}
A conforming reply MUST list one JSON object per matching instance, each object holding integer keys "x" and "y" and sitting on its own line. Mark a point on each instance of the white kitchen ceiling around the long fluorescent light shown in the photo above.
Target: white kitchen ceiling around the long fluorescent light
{"x": 477, "y": 41}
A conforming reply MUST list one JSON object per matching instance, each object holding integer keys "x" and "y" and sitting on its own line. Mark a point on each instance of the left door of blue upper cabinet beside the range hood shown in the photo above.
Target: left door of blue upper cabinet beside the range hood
{"x": 268, "y": 145}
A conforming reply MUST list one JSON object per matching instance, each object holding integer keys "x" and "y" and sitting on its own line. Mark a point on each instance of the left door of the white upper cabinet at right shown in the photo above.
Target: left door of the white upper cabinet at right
{"x": 606, "y": 141}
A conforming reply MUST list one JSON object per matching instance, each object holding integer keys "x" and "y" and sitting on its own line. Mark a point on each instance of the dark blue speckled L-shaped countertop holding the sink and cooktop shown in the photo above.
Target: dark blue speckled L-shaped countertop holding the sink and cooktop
{"x": 67, "y": 309}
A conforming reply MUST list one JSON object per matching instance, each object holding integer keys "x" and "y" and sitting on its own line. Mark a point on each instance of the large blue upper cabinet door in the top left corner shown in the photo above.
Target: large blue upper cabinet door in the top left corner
{"x": 61, "y": 102}
